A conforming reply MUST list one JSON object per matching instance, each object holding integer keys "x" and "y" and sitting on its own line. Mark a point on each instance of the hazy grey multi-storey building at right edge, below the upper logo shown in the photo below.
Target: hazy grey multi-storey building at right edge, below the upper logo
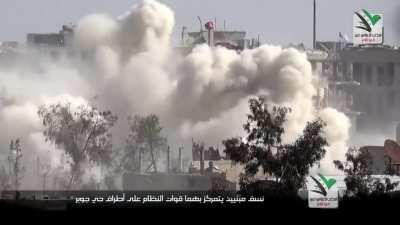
{"x": 377, "y": 69}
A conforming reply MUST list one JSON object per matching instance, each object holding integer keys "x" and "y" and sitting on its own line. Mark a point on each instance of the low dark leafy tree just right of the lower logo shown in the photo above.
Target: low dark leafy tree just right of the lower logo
{"x": 358, "y": 172}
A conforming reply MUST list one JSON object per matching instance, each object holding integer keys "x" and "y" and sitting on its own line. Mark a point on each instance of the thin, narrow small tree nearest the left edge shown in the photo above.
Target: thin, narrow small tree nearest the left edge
{"x": 16, "y": 170}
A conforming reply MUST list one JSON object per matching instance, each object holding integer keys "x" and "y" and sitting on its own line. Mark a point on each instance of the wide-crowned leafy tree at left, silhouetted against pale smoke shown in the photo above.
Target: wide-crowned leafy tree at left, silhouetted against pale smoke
{"x": 84, "y": 135}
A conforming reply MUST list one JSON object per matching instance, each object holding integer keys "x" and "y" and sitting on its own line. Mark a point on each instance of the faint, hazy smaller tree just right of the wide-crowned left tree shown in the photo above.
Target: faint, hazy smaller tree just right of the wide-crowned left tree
{"x": 144, "y": 138}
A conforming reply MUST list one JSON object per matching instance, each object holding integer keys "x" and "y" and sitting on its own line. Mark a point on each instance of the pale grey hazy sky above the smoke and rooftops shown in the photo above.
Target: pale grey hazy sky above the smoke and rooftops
{"x": 276, "y": 21}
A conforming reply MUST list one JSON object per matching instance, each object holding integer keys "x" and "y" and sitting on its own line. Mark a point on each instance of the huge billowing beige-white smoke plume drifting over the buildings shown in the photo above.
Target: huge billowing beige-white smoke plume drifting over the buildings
{"x": 129, "y": 64}
